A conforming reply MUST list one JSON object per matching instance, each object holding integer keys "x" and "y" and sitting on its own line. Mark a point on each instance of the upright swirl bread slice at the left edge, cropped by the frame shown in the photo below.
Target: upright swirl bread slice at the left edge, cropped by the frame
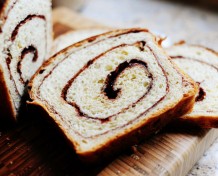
{"x": 25, "y": 42}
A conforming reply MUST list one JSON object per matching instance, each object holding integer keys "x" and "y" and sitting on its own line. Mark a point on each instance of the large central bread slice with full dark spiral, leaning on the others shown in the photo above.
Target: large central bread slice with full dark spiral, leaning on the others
{"x": 110, "y": 91}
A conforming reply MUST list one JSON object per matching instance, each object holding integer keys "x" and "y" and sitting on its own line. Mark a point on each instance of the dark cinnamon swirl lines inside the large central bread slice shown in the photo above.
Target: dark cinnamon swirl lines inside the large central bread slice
{"x": 81, "y": 114}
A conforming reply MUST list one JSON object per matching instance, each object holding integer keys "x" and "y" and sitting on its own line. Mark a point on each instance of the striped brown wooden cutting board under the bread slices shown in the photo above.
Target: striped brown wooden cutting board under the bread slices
{"x": 35, "y": 147}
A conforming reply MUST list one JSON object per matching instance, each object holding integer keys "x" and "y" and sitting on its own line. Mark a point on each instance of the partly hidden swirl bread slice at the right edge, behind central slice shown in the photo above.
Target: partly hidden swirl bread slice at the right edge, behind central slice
{"x": 202, "y": 65}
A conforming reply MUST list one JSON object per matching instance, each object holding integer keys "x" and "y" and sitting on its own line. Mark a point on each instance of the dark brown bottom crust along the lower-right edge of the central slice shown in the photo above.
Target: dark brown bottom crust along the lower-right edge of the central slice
{"x": 153, "y": 125}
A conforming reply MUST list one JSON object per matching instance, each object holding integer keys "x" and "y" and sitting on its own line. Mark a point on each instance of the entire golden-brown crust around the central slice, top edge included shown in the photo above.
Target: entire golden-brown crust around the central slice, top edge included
{"x": 130, "y": 136}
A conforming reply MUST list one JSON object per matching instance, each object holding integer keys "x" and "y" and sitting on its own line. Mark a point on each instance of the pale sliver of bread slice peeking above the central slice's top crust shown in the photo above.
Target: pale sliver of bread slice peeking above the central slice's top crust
{"x": 72, "y": 37}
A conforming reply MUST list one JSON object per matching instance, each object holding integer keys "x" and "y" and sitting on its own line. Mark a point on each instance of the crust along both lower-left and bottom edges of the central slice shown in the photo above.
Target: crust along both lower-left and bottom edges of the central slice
{"x": 113, "y": 147}
